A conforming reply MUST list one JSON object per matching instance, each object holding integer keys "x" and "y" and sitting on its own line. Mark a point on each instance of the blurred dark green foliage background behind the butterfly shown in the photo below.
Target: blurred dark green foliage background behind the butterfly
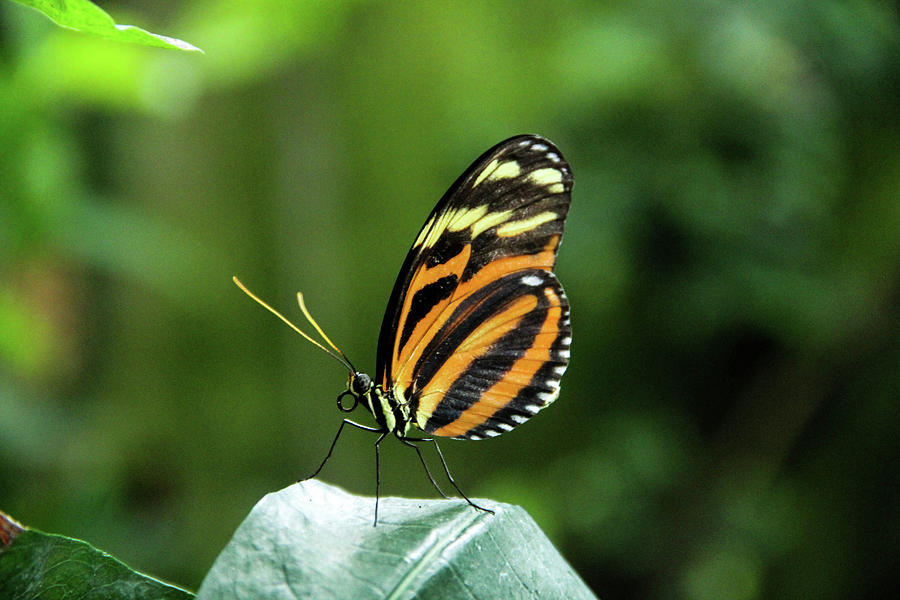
{"x": 728, "y": 427}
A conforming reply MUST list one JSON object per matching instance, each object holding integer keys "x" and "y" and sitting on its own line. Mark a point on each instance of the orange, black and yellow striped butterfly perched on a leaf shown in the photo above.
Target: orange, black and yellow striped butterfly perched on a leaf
{"x": 476, "y": 334}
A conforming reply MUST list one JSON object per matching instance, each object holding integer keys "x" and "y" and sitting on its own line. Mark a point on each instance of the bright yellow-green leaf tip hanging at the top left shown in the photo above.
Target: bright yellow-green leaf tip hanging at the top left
{"x": 85, "y": 16}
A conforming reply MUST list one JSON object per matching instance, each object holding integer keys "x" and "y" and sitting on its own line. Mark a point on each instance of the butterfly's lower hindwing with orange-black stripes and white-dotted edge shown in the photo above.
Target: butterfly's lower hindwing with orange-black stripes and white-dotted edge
{"x": 498, "y": 359}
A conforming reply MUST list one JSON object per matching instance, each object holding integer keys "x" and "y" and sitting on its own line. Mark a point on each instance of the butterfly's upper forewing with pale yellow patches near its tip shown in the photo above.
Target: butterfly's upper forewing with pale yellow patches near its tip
{"x": 510, "y": 203}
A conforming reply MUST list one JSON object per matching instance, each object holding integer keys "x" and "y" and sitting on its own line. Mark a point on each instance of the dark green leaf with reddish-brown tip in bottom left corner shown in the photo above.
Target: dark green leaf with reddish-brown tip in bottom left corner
{"x": 40, "y": 565}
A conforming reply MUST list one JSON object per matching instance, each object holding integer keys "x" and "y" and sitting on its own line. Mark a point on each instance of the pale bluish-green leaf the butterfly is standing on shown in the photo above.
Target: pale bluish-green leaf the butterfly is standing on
{"x": 312, "y": 540}
